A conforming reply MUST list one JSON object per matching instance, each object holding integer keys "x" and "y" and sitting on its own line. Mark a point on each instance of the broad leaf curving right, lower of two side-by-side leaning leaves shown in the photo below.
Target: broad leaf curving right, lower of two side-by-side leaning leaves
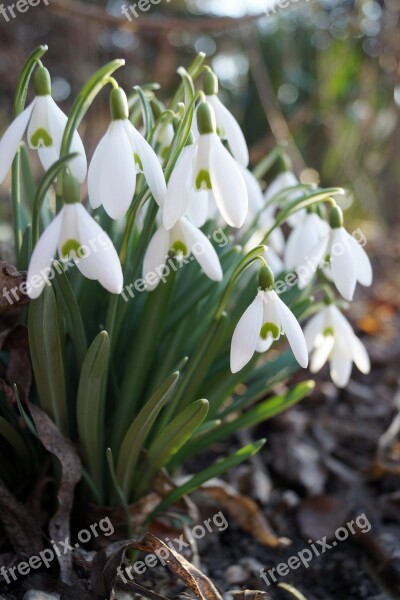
{"x": 174, "y": 436}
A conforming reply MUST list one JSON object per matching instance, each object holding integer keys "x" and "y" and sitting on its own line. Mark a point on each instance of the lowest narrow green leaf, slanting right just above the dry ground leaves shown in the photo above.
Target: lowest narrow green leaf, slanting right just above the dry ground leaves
{"x": 215, "y": 470}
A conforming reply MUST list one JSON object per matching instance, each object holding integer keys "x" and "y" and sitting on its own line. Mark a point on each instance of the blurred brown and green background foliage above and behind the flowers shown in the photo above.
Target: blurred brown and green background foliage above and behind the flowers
{"x": 321, "y": 76}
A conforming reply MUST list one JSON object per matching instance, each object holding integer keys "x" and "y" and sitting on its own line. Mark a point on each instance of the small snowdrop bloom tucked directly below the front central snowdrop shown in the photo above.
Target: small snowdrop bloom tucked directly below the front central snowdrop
{"x": 182, "y": 240}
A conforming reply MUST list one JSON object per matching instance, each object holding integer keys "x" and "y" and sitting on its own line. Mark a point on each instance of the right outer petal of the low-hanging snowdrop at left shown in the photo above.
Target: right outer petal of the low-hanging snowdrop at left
{"x": 102, "y": 262}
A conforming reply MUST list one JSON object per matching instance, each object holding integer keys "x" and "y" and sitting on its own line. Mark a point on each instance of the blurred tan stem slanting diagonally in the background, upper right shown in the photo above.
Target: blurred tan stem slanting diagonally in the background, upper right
{"x": 262, "y": 81}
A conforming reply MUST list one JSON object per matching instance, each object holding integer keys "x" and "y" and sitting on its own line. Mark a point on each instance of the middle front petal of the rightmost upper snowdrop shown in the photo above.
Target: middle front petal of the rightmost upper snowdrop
{"x": 342, "y": 264}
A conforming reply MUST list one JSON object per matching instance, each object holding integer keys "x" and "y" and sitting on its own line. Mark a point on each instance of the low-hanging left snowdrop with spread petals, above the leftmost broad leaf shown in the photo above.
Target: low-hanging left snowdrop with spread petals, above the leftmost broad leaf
{"x": 77, "y": 236}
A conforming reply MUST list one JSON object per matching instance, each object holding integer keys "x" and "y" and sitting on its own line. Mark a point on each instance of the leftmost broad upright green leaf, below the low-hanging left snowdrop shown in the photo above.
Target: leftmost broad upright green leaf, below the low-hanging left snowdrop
{"x": 47, "y": 358}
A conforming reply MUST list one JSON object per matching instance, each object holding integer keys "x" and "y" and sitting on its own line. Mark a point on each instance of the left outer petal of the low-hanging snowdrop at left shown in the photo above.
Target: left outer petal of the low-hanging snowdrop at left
{"x": 42, "y": 256}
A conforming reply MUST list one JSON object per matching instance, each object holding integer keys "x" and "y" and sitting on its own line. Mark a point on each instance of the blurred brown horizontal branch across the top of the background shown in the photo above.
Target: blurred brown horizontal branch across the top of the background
{"x": 149, "y": 25}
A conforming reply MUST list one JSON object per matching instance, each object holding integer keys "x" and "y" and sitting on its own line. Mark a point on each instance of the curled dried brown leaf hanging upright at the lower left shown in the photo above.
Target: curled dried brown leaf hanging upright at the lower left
{"x": 63, "y": 449}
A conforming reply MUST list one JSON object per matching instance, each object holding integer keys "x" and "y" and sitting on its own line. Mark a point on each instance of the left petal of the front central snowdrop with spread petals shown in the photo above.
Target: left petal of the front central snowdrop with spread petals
{"x": 178, "y": 189}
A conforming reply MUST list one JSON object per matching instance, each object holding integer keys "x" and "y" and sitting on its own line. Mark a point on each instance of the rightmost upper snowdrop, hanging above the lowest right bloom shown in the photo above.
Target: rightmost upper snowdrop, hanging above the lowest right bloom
{"x": 348, "y": 261}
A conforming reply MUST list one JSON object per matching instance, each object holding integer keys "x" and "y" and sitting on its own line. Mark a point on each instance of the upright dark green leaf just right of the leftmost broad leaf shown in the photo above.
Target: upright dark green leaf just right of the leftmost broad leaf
{"x": 89, "y": 408}
